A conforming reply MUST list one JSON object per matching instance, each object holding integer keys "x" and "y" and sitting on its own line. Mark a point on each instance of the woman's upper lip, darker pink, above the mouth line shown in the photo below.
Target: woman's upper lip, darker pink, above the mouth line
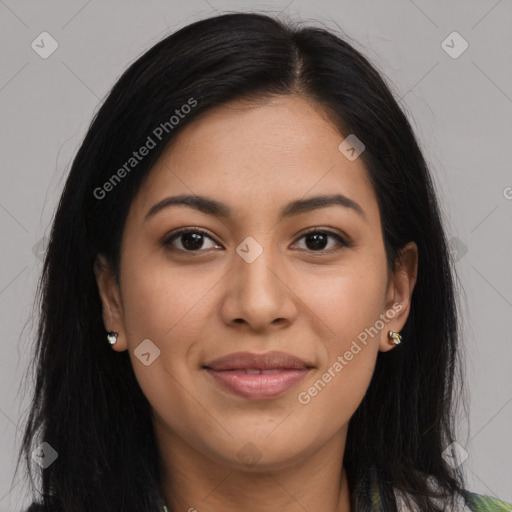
{"x": 266, "y": 361}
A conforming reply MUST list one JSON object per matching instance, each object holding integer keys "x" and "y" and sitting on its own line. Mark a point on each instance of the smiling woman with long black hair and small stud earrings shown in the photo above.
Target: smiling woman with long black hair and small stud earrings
{"x": 247, "y": 300}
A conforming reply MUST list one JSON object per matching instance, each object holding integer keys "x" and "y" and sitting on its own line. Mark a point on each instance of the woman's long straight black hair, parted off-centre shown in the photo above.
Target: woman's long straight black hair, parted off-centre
{"x": 87, "y": 403}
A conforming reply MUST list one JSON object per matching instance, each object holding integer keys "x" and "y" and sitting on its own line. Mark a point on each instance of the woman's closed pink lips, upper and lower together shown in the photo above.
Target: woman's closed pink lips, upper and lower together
{"x": 258, "y": 376}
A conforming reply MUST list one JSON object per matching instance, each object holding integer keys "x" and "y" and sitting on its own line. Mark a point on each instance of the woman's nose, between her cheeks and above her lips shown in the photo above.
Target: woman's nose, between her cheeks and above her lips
{"x": 259, "y": 295}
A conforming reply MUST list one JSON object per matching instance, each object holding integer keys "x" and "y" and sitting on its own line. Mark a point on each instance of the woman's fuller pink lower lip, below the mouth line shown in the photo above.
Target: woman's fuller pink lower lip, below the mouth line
{"x": 259, "y": 386}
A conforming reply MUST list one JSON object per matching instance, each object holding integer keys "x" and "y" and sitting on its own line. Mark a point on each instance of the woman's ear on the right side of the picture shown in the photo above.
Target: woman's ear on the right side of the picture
{"x": 398, "y": 297}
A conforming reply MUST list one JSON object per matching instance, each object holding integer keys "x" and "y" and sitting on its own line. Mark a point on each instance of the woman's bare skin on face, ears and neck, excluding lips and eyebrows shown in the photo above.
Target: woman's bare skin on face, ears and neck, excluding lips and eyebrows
{"x": 197, "y": 306}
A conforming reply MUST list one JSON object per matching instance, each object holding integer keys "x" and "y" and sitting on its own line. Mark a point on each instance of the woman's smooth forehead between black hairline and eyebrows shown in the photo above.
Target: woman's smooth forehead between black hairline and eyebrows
{"x": 258, "y": 156}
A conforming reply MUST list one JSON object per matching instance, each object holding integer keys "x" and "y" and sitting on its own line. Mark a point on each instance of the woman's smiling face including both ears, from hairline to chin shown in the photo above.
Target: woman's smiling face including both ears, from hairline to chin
{"x": 256, "y": 282}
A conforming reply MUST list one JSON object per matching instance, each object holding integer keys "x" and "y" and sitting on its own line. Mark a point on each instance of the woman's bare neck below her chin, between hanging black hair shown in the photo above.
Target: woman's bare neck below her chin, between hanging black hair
{"x": 193, "y": 482}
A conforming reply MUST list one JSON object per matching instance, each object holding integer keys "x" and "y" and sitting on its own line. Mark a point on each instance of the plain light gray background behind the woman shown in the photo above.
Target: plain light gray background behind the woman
{"x": 460, "y": 108}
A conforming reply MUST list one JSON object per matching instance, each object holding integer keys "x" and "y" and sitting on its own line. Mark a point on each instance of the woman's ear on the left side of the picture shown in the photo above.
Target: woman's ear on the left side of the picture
{"x": 111, "y": 301}
